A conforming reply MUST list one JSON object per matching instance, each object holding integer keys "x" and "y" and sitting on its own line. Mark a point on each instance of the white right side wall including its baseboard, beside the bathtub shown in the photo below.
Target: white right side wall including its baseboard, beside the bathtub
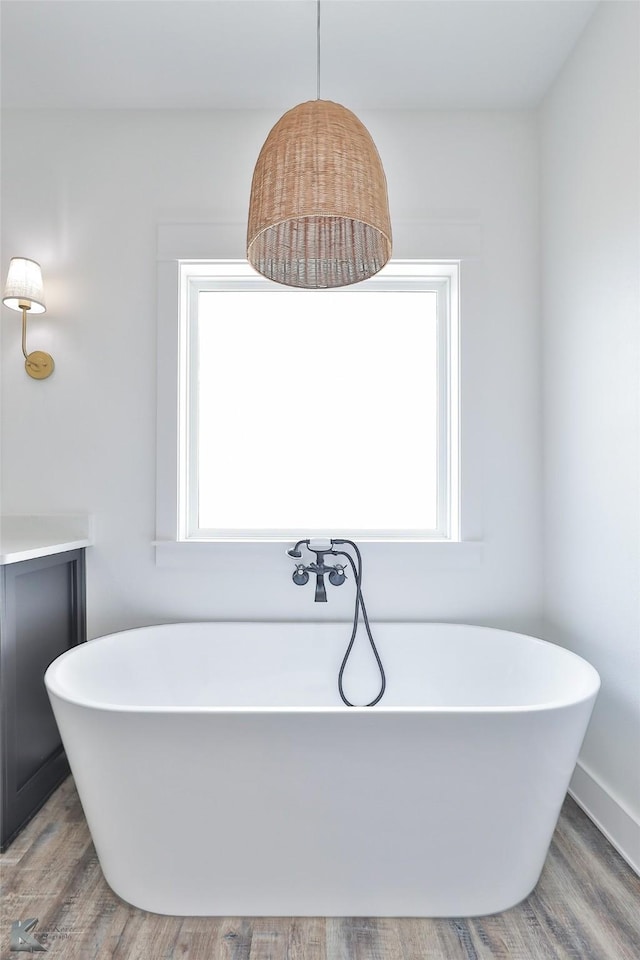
{"x": 590, "y": 257}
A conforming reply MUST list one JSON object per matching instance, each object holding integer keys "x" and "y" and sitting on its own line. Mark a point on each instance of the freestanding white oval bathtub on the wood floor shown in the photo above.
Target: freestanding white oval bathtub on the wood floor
{"x": 221, "y": 775}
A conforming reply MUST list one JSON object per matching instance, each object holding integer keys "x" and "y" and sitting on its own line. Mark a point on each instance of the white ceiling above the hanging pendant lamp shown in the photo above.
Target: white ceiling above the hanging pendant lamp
{"x": 193, "y": 54}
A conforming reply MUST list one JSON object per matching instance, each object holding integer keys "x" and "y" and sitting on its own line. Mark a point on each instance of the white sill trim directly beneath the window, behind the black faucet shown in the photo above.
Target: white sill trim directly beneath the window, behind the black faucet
{"x": 431, "y": 554}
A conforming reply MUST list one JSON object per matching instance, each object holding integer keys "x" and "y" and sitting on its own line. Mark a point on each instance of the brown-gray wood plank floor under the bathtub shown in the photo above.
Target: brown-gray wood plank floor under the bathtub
{"x": 585, "y": 907}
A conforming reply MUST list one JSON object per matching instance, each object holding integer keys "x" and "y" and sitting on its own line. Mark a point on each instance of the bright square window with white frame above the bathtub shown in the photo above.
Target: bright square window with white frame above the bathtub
{"x": 328, "y": 412}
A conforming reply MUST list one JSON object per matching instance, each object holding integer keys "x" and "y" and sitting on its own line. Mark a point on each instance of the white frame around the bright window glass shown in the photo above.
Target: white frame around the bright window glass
{"x": 177, "y": 454}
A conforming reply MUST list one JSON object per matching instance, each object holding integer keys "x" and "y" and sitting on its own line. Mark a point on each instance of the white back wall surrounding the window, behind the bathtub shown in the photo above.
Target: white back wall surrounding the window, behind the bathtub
{"x": 83, "y": 192}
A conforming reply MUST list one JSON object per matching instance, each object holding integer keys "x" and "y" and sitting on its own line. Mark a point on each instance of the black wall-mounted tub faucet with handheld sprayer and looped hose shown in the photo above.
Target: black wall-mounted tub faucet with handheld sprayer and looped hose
{"x": 323, "y": 546}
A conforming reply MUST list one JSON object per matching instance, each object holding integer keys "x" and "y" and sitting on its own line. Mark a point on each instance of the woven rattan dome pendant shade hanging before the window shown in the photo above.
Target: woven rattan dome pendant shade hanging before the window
{"x": 319, "y": 213}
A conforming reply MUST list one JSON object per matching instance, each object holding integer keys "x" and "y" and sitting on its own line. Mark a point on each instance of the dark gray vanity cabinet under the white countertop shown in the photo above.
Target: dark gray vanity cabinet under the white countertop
{"x": 42, "y": 615}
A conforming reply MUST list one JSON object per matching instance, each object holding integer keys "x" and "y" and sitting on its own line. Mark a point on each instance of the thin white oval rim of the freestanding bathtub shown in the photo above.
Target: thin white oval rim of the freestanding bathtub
{"x": 556, "y": 704}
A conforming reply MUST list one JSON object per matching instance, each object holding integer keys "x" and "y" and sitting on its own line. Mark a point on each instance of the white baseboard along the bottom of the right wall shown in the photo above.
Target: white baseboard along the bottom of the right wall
{"x": 609, "y": 816}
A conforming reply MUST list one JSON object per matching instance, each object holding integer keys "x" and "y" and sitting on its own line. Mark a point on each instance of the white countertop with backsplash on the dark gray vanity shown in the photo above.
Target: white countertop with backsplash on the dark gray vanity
{"x": 27, "y": 537}
